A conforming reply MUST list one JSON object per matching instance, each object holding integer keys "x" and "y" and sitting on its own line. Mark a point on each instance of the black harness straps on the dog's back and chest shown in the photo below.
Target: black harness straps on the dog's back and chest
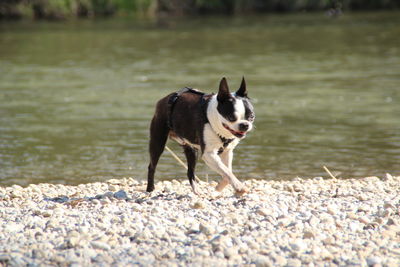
{"x": 171, "y": 104}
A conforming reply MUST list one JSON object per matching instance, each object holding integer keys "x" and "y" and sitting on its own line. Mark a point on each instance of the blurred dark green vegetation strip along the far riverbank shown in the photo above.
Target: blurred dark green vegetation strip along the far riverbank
{"x": 63, "y": 9}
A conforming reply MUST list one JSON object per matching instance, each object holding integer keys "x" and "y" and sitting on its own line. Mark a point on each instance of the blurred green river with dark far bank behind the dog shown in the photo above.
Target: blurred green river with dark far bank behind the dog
{"x": 79, "y": 80}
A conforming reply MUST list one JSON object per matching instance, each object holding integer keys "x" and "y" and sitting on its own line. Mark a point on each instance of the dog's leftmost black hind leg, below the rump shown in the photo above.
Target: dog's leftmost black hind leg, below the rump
{"x": 158, "y": 137}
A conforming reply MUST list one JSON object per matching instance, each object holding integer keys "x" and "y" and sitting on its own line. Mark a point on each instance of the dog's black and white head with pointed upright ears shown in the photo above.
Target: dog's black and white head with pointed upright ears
{"x": 235, "y": 111}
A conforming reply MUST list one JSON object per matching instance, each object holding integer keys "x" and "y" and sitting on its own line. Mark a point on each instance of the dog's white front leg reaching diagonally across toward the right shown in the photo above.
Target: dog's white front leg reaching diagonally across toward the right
{"x": 212, "y": 159}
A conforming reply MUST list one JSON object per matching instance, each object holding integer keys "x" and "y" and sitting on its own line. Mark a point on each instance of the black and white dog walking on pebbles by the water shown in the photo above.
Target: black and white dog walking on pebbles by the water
{"x": 209, "y": 123}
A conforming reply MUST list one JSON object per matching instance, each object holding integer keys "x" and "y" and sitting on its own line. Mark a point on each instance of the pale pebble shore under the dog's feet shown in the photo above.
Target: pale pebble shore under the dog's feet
{"x": 313, "y": 222}
